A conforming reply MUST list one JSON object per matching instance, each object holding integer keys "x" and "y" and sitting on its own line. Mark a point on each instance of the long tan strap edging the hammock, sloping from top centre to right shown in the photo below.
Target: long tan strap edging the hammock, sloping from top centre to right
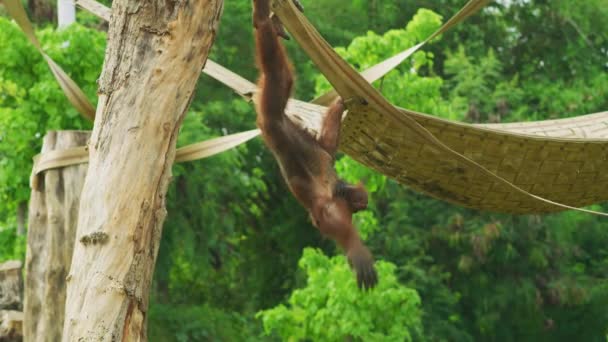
{"x": 350, "y": 85}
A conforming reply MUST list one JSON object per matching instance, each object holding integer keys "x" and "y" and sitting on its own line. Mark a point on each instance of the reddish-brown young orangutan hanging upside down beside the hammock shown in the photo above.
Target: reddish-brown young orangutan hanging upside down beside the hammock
{"x": 307, "y": 164}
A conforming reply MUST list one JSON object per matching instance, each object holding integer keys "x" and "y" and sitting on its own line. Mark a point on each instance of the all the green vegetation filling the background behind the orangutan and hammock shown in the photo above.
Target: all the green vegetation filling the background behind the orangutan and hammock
{"x": 234, "y": 263}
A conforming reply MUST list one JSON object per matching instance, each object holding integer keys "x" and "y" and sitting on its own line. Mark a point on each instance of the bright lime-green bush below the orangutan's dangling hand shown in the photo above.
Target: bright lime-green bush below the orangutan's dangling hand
{"x": 332, "y": 308}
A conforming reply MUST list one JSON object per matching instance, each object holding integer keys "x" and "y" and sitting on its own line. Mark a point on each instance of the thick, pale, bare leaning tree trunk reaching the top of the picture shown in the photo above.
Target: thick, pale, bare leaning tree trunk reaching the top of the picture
{"x": 155, "y": 54}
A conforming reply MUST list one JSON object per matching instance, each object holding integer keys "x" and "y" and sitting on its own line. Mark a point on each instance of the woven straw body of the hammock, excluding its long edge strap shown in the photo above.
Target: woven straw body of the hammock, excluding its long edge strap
{"x": 551, "y": 159}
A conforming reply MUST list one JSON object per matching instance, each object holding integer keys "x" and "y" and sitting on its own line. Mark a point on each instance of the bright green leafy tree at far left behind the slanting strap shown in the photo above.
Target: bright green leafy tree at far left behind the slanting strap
{"x": 31, "y": 102}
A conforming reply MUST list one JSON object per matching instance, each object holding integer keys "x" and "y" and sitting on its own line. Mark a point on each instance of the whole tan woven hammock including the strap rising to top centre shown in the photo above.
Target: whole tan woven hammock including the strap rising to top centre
{"x": 519, "y": 168}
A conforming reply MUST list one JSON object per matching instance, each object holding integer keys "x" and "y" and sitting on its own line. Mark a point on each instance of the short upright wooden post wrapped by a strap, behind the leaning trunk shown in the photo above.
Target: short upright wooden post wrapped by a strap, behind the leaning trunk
{"x": 53, "y": 216}
